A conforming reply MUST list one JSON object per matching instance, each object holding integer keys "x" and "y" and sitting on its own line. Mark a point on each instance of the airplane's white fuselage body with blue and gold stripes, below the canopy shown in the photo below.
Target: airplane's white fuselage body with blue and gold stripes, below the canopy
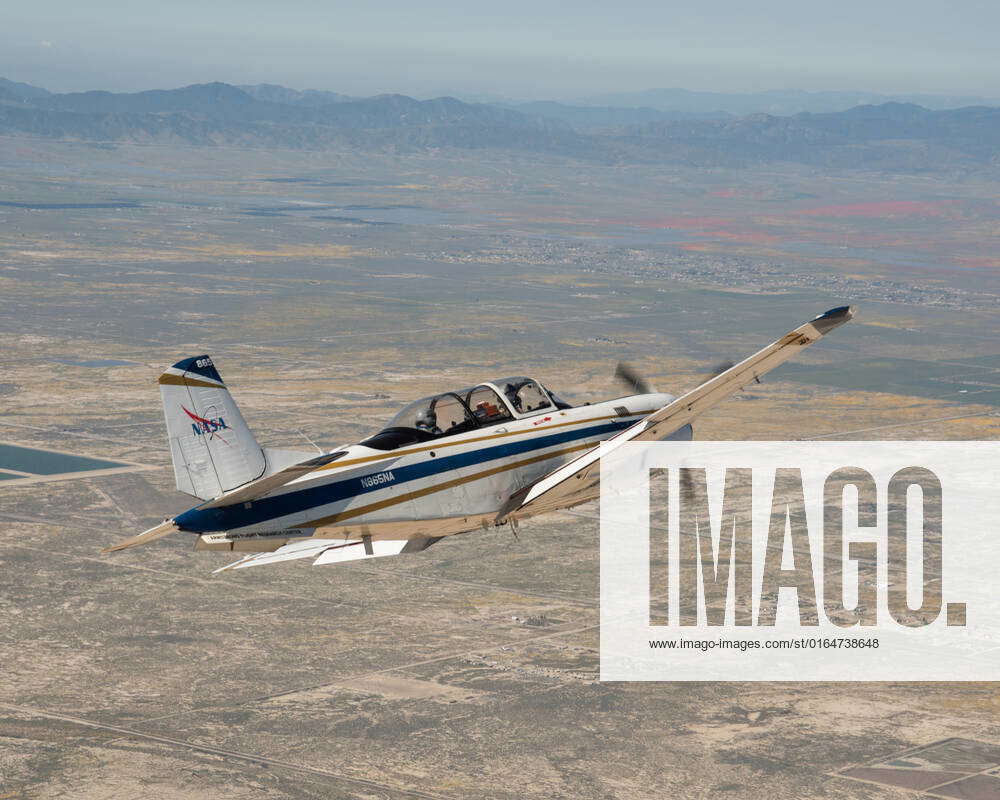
{"x": 440, "y": 487}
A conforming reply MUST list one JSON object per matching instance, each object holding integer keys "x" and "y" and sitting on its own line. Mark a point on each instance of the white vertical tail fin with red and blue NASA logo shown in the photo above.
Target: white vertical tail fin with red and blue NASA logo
{"x": 211, "y": 446}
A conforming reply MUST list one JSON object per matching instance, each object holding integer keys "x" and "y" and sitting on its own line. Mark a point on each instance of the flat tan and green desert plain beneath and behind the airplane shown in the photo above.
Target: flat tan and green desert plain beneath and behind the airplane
{"x": 331, "y": 289}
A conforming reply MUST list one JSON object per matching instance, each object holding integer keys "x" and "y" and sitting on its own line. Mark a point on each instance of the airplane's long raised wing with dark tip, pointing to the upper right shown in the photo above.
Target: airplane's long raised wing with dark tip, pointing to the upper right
{"x": 578, "y": 481}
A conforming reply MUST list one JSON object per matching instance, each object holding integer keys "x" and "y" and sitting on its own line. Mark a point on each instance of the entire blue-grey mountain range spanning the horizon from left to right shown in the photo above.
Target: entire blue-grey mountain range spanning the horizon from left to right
{"x": 890, "y": 136}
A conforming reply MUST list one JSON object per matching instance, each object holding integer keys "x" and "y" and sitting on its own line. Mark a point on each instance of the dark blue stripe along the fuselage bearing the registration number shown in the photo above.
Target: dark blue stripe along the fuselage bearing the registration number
{"x": 237, "y": 516}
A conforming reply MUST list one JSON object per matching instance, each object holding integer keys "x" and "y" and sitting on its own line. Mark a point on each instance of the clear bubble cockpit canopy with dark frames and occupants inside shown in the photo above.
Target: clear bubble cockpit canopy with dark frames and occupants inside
{"x": 451, "y": 413}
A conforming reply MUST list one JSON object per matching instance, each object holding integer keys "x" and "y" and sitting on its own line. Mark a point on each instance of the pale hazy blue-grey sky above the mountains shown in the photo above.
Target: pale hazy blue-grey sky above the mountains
{"x": 507, "y": 47}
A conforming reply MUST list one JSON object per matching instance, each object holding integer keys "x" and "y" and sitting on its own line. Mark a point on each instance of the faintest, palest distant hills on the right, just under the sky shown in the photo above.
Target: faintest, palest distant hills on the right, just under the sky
{"x": 783, "y": 102}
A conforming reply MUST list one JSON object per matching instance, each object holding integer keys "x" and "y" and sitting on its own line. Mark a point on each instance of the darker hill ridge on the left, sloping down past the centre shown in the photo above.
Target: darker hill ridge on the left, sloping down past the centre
{"x": 218, "y": 113}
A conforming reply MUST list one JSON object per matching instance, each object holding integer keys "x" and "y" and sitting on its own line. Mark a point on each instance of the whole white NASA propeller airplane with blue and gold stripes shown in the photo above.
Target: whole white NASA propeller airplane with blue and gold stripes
{"x": 455, "y": 462}
